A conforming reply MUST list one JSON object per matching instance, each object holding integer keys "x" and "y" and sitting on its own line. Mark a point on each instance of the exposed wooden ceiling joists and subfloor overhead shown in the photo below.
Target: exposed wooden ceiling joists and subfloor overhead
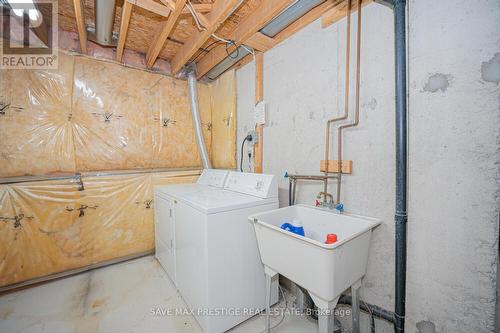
{"x": 166, "y": 29}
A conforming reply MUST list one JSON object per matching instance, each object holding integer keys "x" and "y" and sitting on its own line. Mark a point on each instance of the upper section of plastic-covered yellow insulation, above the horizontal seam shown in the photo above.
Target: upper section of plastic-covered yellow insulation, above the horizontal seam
{"x": 94, "y": 115}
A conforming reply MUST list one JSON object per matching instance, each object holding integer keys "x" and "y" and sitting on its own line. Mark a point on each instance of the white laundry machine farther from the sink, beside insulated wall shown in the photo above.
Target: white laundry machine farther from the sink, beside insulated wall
{"x": 164, "y": 198}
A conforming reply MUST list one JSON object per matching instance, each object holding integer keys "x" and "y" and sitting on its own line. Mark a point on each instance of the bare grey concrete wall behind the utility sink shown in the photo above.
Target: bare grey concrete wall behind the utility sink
{"x": 453, "y": 145}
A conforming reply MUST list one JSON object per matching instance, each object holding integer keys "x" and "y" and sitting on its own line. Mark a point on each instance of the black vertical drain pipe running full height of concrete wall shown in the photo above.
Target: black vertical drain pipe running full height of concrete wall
{"x": 401, "y": 216}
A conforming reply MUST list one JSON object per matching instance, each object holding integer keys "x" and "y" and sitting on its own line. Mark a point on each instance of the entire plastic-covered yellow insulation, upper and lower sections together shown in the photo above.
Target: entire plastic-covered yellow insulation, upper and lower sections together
{"x": 91, "y": 115}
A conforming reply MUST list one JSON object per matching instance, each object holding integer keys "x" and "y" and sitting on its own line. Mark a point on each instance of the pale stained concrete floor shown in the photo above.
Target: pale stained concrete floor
{"x": 117, "y": 298}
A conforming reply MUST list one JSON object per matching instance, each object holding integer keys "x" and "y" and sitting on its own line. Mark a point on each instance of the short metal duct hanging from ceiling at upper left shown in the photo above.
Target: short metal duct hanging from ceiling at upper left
{"x": 104, "y": 20}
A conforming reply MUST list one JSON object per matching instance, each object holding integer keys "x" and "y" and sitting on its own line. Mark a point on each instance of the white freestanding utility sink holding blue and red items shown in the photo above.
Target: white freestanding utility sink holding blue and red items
{"x": 325, "y": 270}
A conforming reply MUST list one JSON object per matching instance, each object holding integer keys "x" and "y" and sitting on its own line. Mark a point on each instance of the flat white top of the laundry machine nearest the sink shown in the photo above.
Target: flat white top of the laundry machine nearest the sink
{"x": 211, "y": 200}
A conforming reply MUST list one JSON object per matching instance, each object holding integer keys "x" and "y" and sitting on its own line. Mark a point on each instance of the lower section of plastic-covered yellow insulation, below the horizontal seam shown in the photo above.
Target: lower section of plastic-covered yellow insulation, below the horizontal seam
{"x": 48, "y": 227}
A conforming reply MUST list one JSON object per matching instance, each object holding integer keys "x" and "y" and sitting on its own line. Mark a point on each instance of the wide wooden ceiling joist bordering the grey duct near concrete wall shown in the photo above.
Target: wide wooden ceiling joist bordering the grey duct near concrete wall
{"x": 246, "y": 29}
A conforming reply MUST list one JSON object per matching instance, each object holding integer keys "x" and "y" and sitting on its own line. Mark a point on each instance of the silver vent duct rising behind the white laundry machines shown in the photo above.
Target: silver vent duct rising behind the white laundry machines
{"x": 195, "y": 110}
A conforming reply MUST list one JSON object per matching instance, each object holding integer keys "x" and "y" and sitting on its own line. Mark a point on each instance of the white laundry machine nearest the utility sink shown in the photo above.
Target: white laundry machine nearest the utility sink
{"x": 218, "y": 268}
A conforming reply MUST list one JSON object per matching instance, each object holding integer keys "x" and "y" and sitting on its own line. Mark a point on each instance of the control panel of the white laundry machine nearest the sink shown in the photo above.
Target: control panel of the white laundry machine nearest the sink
{"x": 259, "y": 185}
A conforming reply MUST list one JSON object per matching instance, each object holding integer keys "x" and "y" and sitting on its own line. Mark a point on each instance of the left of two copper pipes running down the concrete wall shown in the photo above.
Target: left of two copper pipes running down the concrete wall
{"x": 346, "y": 108}
